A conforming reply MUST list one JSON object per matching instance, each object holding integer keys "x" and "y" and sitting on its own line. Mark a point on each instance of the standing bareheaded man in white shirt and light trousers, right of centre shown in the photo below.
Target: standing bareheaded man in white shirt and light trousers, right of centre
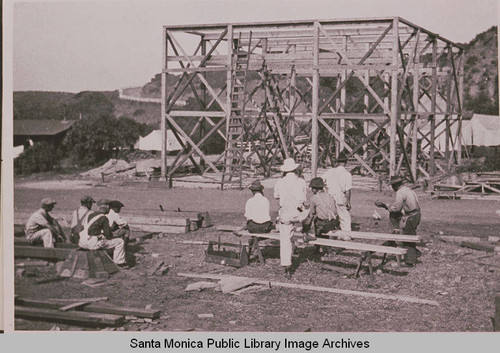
{"x": 339, "y": 184}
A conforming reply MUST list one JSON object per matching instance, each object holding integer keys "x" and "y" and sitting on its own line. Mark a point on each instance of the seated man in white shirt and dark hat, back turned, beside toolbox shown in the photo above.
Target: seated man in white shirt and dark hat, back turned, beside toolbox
{"x": 257, "y": 210}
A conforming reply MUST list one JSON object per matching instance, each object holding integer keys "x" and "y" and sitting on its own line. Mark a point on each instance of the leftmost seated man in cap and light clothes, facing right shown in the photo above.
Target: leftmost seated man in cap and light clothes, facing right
{"x": 42, "y": 228}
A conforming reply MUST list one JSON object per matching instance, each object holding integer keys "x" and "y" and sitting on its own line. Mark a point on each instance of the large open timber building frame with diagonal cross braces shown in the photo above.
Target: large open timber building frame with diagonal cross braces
{"x": 380, "y": 89}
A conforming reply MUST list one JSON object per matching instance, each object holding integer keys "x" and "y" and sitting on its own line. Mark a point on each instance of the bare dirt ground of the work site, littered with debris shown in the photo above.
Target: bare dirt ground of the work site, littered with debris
{"x": 446, "y": 273}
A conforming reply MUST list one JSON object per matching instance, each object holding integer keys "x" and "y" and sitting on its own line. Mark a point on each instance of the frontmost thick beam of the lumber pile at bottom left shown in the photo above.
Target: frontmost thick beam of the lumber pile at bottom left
{"x": 78, "y": 318}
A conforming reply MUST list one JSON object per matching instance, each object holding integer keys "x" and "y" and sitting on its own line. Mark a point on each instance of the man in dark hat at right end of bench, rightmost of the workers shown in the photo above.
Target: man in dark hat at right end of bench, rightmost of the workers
{"x": 404, "y": 215}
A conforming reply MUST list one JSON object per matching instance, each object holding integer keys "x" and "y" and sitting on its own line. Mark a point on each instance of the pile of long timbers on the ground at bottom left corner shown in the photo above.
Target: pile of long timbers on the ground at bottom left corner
{"x": 79, "y": 311}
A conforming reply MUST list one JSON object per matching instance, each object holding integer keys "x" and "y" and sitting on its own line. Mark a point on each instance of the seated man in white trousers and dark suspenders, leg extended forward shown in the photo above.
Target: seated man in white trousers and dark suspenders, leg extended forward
{"x": 96, "y": 234}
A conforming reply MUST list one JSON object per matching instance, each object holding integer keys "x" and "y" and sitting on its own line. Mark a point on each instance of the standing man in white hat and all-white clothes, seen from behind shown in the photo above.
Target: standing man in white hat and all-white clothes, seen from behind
{"x": 291, "y": 190}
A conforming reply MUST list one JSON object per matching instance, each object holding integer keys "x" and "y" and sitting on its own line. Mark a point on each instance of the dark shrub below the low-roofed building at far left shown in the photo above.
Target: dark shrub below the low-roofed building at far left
{"x": 41, "y": 157}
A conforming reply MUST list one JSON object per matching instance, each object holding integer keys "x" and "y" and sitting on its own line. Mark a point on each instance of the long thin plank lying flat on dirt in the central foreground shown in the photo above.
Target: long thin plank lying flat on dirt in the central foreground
{"x": 317, "y": 289}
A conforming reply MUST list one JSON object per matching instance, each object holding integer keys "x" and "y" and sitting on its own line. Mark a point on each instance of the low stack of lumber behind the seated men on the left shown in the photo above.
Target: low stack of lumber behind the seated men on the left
{"x": 173, "y": 222}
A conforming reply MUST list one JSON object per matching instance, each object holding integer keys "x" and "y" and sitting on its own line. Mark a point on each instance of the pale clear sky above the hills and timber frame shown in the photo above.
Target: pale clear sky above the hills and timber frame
{"x": 105, "y": 45}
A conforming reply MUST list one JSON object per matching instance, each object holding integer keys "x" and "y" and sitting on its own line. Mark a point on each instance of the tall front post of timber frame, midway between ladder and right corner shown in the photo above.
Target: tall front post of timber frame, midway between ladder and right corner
{"x": 315, "y": 102}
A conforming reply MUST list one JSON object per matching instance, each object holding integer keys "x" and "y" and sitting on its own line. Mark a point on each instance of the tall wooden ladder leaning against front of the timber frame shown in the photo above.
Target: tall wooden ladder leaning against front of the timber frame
{"x": 233, "y": 160}
